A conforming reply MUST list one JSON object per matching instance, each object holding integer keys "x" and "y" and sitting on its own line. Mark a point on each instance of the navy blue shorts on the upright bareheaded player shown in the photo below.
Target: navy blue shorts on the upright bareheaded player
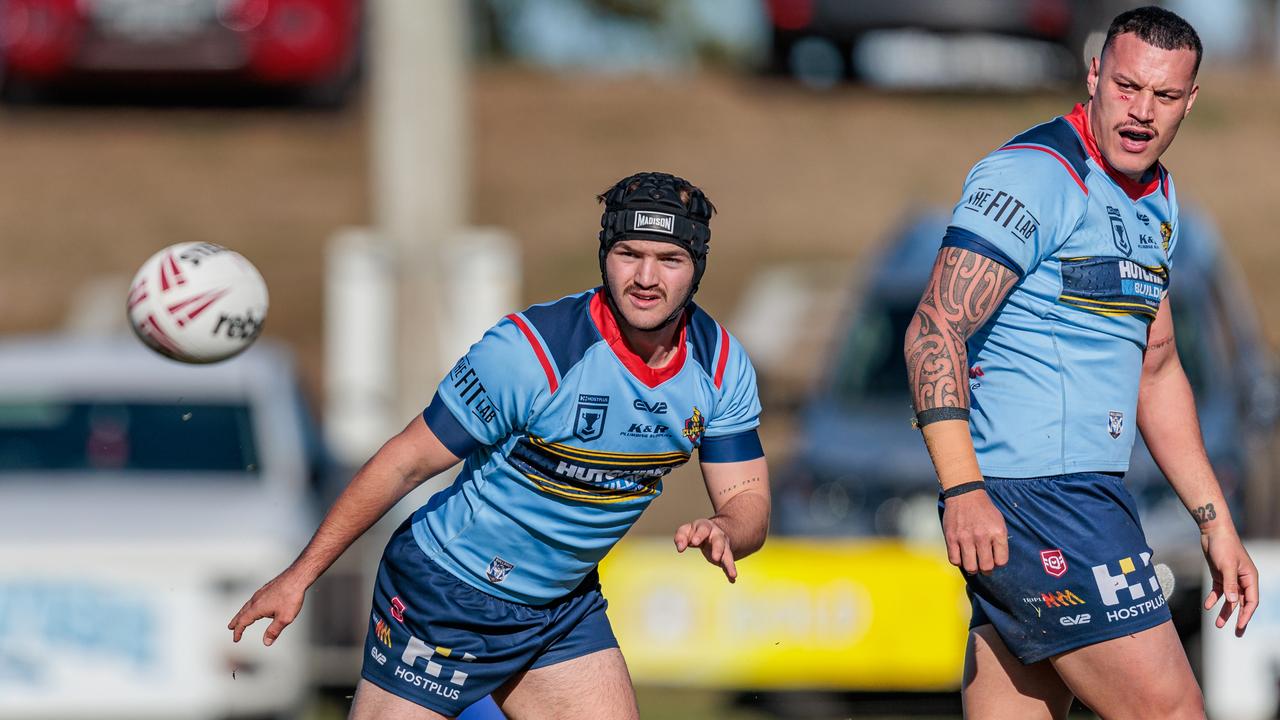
{"x": 1080, "y": 568}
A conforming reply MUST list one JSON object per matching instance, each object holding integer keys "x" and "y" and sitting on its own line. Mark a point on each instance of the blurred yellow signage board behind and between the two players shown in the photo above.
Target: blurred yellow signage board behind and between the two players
{"x": 804, "y": 614}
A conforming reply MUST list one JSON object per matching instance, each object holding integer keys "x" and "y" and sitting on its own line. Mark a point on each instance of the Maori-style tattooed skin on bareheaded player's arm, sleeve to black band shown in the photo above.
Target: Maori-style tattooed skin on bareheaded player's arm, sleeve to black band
{"x": 964, "y": 291}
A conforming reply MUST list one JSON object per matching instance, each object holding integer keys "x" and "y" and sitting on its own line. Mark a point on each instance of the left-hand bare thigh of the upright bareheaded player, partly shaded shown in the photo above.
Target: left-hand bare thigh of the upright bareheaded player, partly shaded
{"x": 999, "y": 687}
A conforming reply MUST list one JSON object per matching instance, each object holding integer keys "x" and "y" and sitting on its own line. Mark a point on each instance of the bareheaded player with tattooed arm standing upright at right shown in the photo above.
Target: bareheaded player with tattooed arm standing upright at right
{"x": 1053, "y": 281}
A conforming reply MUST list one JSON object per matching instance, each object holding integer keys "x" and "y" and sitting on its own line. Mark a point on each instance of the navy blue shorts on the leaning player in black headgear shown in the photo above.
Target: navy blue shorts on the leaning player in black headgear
{"x": 438, "y": 642}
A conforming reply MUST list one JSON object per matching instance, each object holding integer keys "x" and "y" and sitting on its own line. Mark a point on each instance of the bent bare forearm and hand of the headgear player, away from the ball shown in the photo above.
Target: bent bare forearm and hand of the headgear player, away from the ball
{"x": 740, "y": 496}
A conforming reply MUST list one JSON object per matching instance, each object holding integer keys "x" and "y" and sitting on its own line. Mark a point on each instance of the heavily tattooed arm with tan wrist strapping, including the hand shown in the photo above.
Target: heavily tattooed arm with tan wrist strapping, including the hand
{"x": 964, "y": 291}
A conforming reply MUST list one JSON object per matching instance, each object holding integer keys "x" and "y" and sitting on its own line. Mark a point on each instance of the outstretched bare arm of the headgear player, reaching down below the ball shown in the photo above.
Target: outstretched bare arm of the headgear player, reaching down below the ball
{"x": 403, "y": 464}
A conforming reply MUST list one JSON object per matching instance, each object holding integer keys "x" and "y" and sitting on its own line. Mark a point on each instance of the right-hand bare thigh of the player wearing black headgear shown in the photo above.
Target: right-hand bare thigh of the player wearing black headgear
{"x": 589, "y": 687}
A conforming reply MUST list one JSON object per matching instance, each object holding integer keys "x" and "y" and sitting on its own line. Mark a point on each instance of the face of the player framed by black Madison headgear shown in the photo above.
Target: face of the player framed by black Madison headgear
{"x": 648, "y": 280}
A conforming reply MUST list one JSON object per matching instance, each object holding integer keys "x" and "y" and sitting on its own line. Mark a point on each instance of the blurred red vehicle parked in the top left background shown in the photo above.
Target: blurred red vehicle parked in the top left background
{"x": 307, "y": 45}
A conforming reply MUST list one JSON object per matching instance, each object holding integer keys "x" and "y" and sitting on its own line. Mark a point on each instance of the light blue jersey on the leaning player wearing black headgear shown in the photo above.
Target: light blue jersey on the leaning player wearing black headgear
{"x": 568, "y": 436}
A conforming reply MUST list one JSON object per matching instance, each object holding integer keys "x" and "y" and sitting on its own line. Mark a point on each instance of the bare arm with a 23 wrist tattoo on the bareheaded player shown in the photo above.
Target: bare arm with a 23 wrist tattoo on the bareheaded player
{"x": 1168, "y": 421}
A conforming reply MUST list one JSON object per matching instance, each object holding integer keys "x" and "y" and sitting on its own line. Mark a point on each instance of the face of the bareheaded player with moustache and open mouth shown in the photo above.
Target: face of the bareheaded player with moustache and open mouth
{"x": 1139, "y": 99}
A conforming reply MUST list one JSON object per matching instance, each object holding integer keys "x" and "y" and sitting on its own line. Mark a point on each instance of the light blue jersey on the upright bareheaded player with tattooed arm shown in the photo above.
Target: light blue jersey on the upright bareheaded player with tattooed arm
{"x": 1054, "y": 376}
